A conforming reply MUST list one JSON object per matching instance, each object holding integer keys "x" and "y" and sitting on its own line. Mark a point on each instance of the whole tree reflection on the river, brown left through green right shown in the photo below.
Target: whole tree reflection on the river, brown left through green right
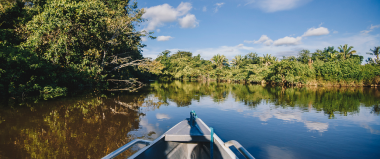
{"x": 91, "y": 127}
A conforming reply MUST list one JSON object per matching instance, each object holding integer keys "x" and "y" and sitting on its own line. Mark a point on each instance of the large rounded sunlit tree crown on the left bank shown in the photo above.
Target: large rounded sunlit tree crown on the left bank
{"x": 88, "y": 33}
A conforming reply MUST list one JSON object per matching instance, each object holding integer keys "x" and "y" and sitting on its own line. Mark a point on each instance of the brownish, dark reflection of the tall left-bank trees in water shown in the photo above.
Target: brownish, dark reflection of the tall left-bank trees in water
{"x": 70, "y": 128}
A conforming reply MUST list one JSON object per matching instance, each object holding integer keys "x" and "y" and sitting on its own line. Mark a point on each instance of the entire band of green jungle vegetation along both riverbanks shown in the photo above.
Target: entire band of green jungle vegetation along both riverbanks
{"x": 54, "y": 46}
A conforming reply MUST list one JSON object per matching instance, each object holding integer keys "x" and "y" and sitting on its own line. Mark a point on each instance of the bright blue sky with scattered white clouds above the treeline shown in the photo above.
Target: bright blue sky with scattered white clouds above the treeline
{"x": 277, "y": 27}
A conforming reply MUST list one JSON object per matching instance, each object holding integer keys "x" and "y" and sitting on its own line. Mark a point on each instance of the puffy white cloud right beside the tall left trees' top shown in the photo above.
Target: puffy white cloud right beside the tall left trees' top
{"x": 158, "y": 15}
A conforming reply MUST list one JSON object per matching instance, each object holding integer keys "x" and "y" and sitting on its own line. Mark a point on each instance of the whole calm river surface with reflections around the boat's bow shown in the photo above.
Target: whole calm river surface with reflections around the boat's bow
{"x": 270, "y": 122}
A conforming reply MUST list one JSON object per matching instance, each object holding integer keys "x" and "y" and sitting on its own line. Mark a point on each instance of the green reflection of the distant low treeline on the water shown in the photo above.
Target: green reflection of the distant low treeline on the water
{"x": 330, "y": 100}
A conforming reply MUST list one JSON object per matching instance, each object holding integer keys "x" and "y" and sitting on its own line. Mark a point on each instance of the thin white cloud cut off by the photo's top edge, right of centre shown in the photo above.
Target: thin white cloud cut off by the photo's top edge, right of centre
{"x": 276, "y": 5}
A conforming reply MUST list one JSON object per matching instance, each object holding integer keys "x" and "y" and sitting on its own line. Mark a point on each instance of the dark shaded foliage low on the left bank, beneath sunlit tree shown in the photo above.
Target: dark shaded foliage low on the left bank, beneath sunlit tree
{"x": 22, "y": 72}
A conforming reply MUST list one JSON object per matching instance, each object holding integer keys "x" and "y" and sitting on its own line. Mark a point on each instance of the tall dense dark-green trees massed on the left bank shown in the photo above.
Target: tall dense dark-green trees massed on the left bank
{"x": 51, "y": 46}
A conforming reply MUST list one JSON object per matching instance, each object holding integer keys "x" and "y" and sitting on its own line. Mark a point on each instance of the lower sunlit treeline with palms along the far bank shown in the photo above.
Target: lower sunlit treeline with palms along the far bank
{"x": 328, "y": 67}
